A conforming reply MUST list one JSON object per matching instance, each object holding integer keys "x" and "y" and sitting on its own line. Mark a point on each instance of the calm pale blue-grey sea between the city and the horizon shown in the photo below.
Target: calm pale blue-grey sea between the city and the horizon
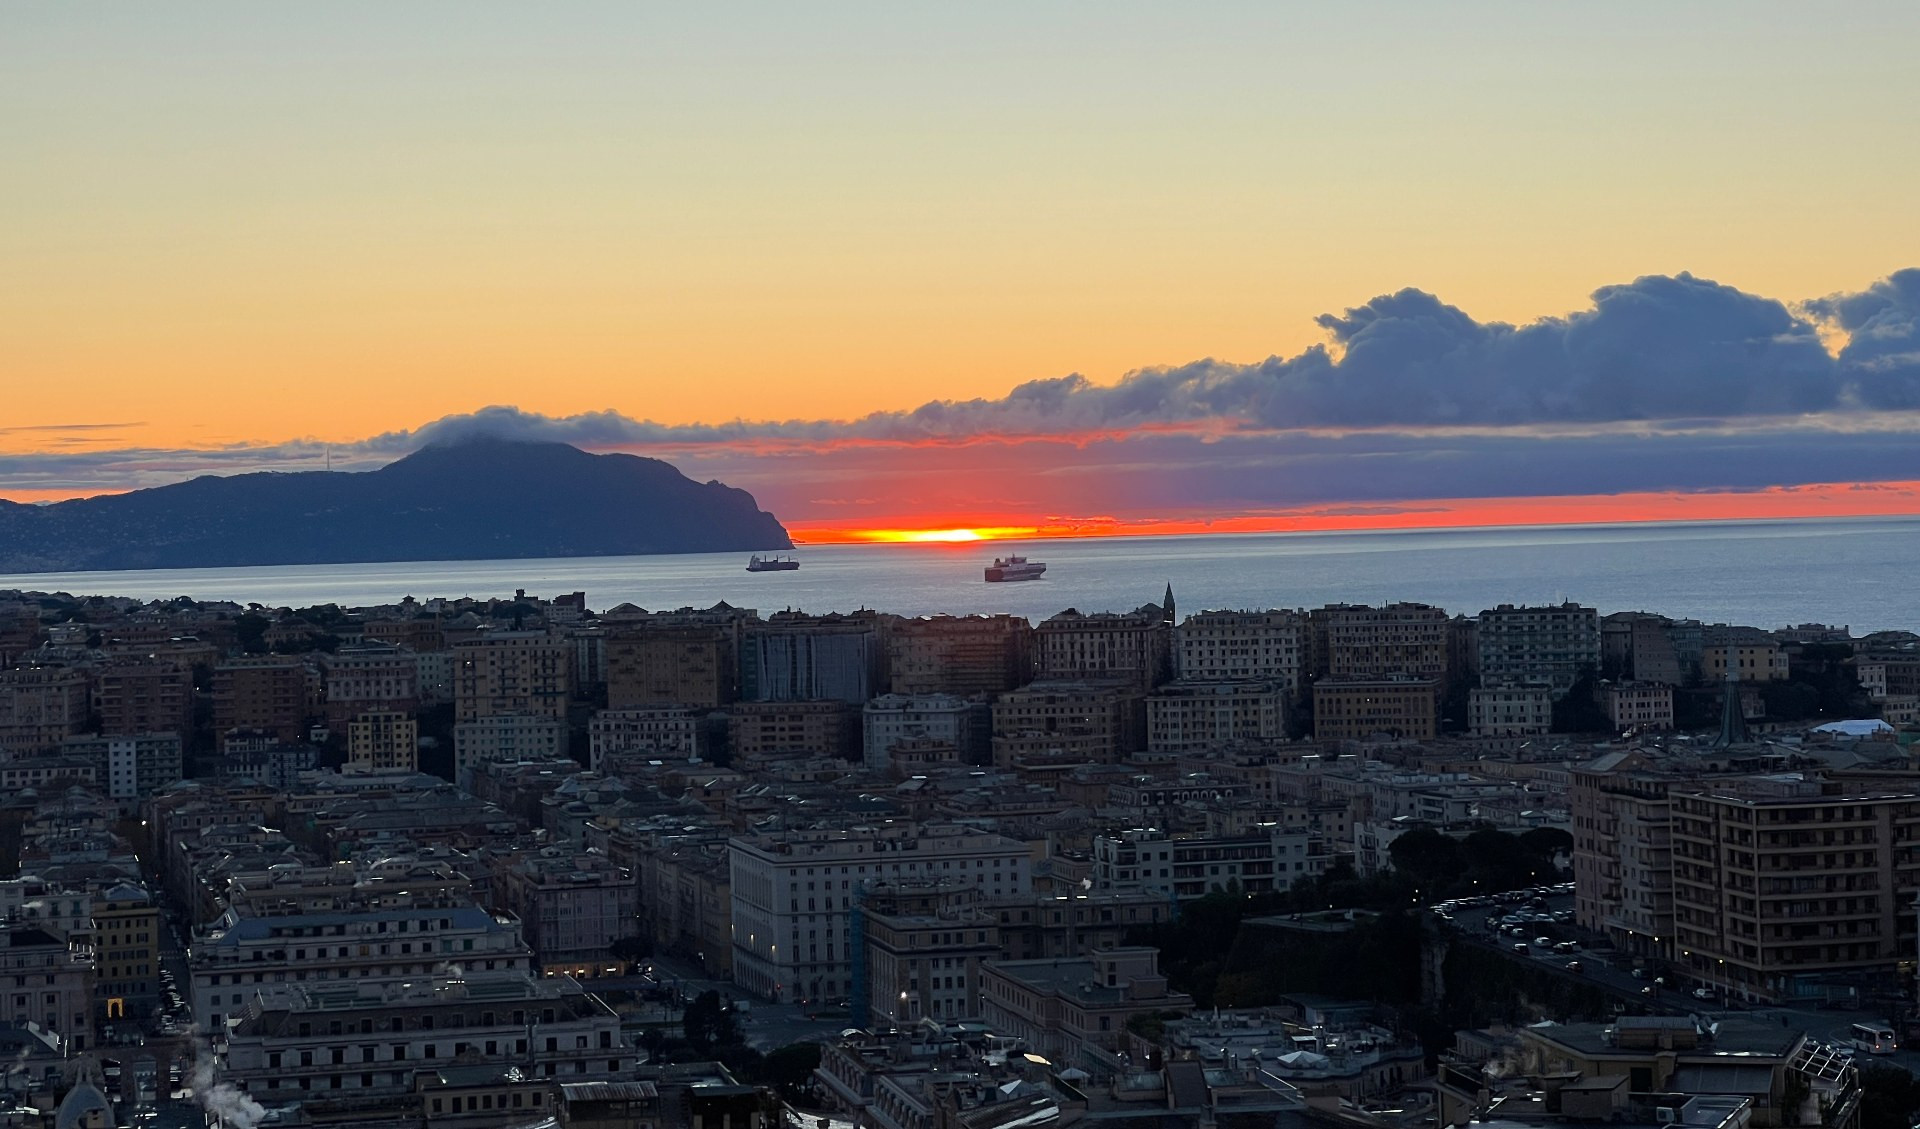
{"x": 1858, "y": 573}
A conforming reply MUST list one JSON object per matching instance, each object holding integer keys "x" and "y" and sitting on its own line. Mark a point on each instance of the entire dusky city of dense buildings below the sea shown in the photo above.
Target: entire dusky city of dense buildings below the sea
{"x": 502, "y": 861}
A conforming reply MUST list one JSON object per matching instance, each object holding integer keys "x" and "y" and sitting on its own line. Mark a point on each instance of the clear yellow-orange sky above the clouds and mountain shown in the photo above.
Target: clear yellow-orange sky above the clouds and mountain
{"x": 229, "y": 224}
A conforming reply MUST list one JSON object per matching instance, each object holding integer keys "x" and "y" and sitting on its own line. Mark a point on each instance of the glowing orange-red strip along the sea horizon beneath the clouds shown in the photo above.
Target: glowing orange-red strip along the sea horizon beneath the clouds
{"x": 1773, "y": 504}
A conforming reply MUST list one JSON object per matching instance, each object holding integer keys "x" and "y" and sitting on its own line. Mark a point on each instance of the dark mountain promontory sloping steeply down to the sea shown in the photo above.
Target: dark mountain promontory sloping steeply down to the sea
{"x": 471, "y": 500}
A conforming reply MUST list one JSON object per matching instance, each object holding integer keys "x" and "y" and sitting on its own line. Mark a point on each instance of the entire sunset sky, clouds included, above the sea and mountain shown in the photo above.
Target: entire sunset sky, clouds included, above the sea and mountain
{"x": 1451, "y": 262}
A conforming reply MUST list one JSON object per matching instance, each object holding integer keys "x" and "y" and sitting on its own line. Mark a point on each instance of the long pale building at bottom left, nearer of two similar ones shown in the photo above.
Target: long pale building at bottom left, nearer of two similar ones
{"x": 372, "y": 1040}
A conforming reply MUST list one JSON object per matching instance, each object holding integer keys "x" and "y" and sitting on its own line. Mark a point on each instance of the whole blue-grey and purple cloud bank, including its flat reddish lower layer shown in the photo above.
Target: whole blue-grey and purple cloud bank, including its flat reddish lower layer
{"x": 1666, "y": 383}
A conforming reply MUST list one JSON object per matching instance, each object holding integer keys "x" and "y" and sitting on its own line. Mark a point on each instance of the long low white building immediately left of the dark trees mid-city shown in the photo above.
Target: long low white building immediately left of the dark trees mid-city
{"x": 1188, "y": 867}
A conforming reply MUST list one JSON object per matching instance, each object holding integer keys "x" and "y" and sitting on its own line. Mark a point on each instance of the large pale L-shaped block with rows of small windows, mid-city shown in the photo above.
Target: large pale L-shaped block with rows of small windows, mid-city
{"x": 794, "y": 896}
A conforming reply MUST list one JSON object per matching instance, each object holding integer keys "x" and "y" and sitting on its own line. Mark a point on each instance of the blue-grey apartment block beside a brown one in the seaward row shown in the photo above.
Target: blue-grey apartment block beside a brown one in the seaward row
{"x": 800, "y": 658}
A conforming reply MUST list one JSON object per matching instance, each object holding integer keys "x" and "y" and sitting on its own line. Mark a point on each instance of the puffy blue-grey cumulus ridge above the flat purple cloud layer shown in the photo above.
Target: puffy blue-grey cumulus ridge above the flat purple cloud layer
{"x": 1650, "y": 350}
